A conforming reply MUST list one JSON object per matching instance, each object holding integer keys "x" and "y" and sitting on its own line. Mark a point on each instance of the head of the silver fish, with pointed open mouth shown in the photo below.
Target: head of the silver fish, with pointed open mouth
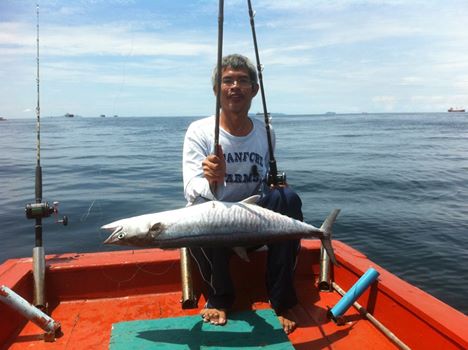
{"x": 129, "y": 232}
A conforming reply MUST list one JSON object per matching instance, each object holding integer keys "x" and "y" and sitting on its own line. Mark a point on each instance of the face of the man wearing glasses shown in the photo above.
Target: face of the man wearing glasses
{"x": 237, "y": 90}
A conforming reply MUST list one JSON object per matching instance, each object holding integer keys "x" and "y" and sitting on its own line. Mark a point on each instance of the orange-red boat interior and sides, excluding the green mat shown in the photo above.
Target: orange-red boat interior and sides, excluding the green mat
{"x": 88, "y": 293}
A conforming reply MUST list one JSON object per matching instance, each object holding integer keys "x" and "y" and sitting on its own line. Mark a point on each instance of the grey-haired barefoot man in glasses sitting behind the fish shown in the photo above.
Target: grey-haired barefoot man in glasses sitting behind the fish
{"x": 234, "y": 172}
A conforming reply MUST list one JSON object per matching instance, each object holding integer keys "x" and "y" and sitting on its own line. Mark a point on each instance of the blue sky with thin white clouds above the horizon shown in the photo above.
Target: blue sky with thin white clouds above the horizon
{"x": 154, "y": 58}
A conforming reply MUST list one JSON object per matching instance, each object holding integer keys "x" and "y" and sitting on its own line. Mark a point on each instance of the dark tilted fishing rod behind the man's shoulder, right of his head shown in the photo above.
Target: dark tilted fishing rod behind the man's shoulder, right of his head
{"x": 273, "y": 177}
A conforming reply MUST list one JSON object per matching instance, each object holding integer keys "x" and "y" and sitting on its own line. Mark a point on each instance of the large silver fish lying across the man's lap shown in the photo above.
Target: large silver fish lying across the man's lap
{"x": 215, "y": 223}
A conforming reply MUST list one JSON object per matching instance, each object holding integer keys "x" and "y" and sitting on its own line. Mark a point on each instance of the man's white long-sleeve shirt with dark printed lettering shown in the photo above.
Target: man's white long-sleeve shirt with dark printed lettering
{"x": 246, "y": 161}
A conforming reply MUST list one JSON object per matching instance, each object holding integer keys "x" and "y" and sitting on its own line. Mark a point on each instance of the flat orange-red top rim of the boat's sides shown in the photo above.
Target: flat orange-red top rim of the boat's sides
{"x": 445, "y": 320}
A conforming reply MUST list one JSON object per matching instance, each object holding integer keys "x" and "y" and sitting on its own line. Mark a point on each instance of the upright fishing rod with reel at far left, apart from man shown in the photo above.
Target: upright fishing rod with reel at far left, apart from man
{"x": 39, "y": 210}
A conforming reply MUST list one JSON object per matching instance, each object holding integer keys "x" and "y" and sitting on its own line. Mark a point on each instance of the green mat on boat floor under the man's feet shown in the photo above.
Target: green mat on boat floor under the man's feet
{"x": 245, "y": 330}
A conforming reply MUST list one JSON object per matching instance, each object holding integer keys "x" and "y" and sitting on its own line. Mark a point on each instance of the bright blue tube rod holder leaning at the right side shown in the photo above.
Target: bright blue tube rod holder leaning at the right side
{"x": 352, "y": 295}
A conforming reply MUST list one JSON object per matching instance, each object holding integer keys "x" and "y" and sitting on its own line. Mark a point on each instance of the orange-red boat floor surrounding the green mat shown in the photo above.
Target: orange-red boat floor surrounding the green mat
{"x": 86, "y": 324}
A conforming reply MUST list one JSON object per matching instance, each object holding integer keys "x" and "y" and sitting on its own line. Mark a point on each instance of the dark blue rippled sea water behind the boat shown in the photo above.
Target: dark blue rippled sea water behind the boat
{"x": 401, "y": 181}
